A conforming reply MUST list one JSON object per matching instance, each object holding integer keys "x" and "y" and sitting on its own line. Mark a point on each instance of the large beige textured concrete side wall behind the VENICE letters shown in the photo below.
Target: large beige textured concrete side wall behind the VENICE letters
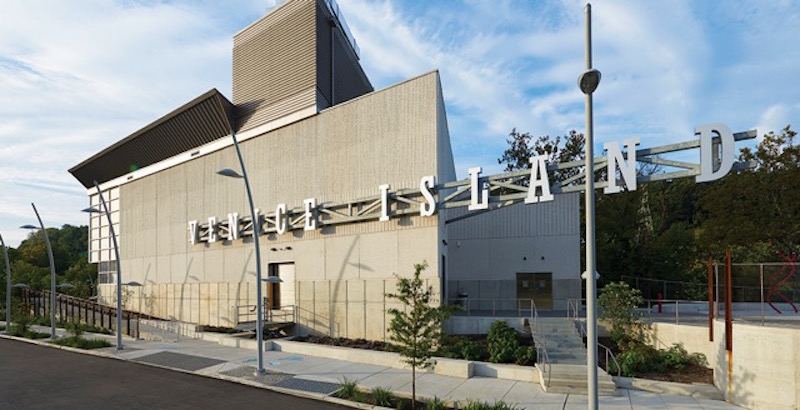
{"x": 392, "y": 136}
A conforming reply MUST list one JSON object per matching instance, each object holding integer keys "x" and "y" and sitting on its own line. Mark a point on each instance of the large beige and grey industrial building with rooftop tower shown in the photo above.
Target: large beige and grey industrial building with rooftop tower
{"x": 350, "y": 183}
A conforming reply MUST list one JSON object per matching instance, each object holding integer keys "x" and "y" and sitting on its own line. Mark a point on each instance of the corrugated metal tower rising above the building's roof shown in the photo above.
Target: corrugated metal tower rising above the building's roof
{"x": 294, "y": 58}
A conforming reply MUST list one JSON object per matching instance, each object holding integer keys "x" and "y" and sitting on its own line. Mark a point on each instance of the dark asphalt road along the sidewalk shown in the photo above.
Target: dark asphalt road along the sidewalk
{"x": 38, "y": 377}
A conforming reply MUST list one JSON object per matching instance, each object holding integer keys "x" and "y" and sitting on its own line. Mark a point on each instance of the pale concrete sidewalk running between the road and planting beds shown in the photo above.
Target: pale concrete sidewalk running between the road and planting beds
{"x": 318, "y": 377}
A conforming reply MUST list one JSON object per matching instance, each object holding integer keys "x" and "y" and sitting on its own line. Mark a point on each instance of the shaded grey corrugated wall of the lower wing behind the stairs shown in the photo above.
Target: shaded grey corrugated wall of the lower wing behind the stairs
{"x": 489, "y": 249}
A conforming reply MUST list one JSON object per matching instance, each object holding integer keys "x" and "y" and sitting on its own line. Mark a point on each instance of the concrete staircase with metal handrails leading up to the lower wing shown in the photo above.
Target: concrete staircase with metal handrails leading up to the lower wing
{"x": 567, "y": 354}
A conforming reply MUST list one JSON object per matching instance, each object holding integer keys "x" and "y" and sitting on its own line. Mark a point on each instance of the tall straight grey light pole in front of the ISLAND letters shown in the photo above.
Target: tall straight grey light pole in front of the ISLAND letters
{"x": 588, "y": 82}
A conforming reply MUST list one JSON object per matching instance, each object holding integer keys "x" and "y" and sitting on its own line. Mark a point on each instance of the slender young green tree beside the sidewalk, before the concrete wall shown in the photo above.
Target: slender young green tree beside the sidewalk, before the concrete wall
{"x": 416, "y": 330}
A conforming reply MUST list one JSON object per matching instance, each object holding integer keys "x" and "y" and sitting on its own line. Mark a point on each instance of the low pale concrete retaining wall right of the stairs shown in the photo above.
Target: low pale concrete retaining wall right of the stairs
{"x": 762, "y": 373}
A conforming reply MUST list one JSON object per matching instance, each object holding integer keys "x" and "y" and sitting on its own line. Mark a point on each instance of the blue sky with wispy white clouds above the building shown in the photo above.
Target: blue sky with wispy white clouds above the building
{"x": 76, "y": 77}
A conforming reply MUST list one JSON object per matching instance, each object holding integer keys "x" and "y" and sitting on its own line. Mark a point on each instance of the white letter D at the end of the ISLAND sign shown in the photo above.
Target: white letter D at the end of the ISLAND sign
{"x": 727, "y": 156}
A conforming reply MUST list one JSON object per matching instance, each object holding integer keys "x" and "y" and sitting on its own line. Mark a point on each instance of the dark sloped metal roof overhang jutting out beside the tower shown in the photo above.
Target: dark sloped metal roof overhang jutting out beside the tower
{"x": 198, "y": 122}
